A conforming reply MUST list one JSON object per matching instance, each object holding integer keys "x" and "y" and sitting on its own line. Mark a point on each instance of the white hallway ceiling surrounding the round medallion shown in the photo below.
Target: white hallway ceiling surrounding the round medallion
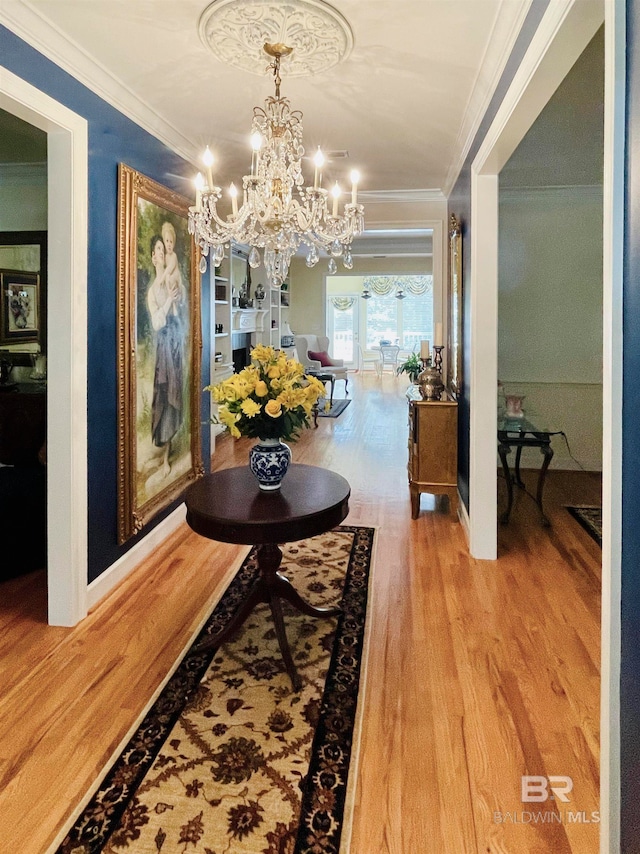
{"x": 404, "y": 104}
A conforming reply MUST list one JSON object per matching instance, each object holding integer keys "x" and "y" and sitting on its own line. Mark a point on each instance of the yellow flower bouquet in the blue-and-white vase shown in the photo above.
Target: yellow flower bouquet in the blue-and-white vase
{"x": 271, "y": 398}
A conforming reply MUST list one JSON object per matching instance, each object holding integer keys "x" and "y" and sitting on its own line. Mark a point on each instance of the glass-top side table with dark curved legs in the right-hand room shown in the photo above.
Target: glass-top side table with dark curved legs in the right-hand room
{"x": 521, "y": 433}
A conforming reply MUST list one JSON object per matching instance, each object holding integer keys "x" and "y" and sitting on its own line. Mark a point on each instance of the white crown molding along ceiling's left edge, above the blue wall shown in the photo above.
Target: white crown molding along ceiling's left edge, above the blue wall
{"x": 19, "y": 17}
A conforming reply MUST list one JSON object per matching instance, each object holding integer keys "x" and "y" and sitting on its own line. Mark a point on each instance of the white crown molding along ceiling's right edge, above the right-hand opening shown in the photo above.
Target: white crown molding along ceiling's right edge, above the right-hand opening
{"x": 507, "y": 25}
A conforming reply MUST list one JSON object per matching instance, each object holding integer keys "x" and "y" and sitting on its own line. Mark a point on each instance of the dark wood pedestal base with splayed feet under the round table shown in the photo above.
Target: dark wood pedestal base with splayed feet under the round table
{"x": 270, "y": 587}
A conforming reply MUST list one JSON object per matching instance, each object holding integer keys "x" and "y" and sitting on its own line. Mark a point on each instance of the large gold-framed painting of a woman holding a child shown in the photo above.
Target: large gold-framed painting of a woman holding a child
{"x": 159, "y": 351}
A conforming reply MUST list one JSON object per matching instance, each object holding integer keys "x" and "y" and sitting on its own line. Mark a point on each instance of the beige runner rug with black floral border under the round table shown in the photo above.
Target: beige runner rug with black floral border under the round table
{"x": 229, "y": 759}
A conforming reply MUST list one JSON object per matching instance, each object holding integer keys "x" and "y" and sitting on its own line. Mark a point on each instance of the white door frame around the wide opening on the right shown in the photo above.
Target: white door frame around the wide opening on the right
{"x": 564, "y": 32}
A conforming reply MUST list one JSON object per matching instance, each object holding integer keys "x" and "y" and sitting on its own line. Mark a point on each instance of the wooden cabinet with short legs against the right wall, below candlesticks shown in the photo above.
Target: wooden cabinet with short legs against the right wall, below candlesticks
{"x": 433, "y": 448}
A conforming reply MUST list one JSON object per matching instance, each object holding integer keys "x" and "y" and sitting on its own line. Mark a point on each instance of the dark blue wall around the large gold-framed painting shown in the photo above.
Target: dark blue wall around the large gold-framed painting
{"x": 113, "y": 139}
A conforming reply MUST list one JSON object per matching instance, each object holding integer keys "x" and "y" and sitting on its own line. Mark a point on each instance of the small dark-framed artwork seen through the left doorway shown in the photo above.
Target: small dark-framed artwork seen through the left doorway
{"x": 20, "y": 318}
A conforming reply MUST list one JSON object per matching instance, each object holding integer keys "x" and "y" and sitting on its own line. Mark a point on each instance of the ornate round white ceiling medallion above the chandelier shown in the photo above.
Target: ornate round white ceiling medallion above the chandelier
{"x": 236, "y": 31}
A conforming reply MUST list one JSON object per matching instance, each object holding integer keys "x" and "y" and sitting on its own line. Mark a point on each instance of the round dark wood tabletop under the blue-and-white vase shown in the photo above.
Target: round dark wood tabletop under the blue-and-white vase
{"x": 229, "y": 506}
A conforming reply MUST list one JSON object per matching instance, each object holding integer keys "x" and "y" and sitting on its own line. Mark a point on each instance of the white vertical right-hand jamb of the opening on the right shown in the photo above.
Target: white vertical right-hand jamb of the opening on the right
{"x": 613, "y": 255}
